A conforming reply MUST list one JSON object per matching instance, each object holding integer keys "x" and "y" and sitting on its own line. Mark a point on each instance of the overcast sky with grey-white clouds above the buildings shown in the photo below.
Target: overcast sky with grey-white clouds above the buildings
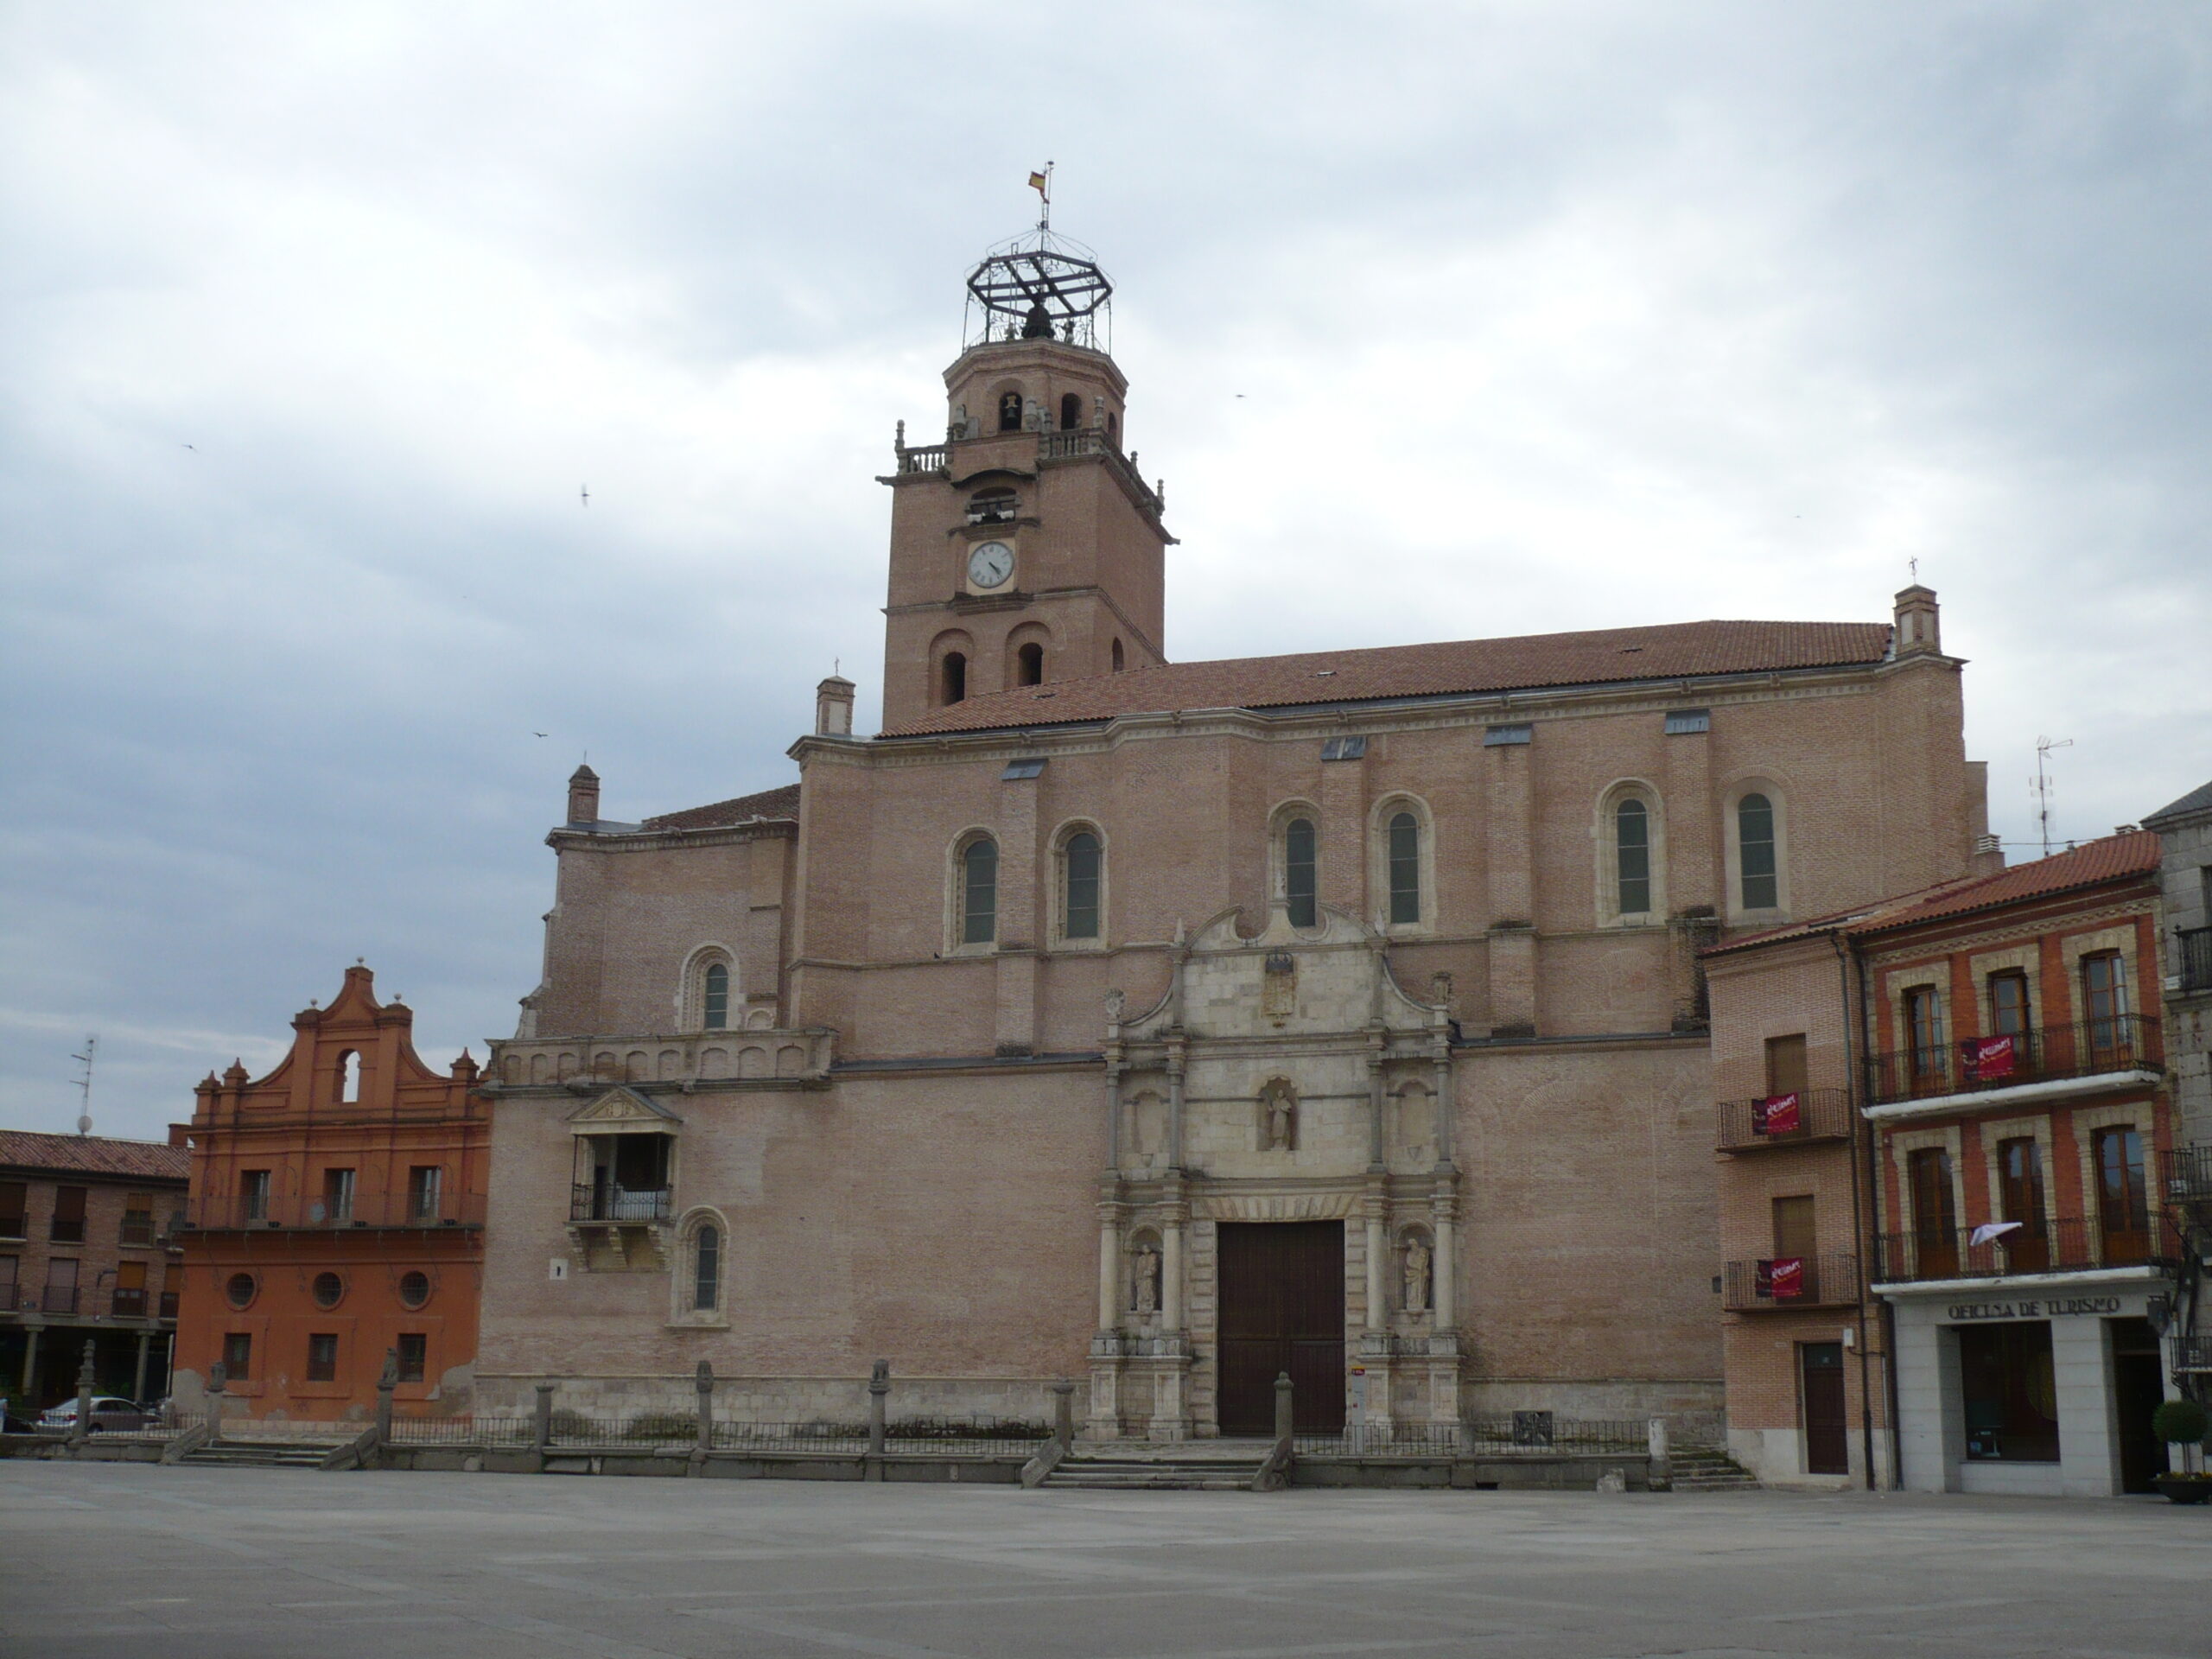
{"x": 1441, "y": 322}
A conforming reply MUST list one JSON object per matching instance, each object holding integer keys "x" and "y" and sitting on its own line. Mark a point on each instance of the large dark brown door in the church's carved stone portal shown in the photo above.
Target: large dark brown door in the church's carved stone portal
{"x": 1282, "y": 1311}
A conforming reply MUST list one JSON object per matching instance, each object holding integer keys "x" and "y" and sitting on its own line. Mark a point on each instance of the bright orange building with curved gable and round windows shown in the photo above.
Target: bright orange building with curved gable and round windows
{"x": 337, "y": 1215}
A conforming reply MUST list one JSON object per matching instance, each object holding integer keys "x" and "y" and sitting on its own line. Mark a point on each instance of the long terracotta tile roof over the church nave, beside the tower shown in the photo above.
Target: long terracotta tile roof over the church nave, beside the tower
{"x": 1461, "y": 667}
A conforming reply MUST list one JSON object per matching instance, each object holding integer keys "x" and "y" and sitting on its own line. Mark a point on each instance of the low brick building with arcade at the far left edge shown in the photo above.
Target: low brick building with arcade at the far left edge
{"x": 87, "y": 1251}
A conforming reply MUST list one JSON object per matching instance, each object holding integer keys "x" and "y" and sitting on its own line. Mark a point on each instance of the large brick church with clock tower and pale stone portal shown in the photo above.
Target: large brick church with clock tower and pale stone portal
{"x": 1171, "y": 1025}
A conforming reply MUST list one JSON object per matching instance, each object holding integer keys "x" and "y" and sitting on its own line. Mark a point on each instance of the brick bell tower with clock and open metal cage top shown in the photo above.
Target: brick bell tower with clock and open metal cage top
{"x": 1025, "y": 547}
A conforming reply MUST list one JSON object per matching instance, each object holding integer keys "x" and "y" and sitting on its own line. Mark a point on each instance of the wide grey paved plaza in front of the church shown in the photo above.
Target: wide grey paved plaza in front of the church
{"x": 238, "y": 1565}
